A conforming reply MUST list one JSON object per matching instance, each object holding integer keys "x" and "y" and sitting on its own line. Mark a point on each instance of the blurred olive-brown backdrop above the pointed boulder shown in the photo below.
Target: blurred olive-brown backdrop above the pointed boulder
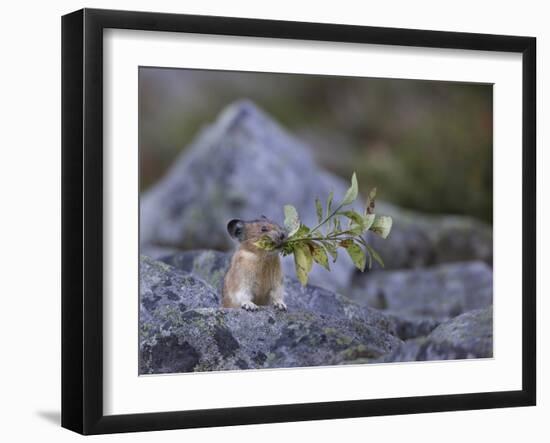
{"x": 427, "y": 145}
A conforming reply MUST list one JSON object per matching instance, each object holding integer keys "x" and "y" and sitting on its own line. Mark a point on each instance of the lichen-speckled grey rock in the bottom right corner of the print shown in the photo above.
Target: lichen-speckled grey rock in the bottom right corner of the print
{"x": 469, "y": 335}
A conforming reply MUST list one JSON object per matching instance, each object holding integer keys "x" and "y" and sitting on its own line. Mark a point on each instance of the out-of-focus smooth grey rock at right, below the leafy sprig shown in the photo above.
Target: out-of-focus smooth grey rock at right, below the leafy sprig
{"x": 436, "y": 293}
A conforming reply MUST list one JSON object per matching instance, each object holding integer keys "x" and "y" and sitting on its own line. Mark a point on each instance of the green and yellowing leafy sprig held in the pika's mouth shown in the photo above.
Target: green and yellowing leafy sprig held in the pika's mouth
{"x": 310, "y": 245}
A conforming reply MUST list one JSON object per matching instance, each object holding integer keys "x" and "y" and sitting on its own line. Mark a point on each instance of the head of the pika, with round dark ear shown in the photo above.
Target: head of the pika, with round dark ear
{"x": 249, "y": 232}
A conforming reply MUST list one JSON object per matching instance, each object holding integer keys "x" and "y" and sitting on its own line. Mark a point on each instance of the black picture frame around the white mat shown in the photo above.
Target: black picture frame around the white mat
{"x": 82, "y": 220}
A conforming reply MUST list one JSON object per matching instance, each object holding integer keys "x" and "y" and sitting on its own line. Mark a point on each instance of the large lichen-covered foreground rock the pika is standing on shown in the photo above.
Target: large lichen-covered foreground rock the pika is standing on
{"x": 182, "y": 328}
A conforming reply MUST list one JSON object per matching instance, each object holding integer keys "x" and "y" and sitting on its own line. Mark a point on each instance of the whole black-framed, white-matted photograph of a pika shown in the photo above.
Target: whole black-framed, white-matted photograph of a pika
{"x": 268, "y": 221}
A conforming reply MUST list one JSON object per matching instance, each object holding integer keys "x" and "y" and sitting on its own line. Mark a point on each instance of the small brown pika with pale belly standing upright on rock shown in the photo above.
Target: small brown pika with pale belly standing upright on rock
{"x": 255, "y": 276}
